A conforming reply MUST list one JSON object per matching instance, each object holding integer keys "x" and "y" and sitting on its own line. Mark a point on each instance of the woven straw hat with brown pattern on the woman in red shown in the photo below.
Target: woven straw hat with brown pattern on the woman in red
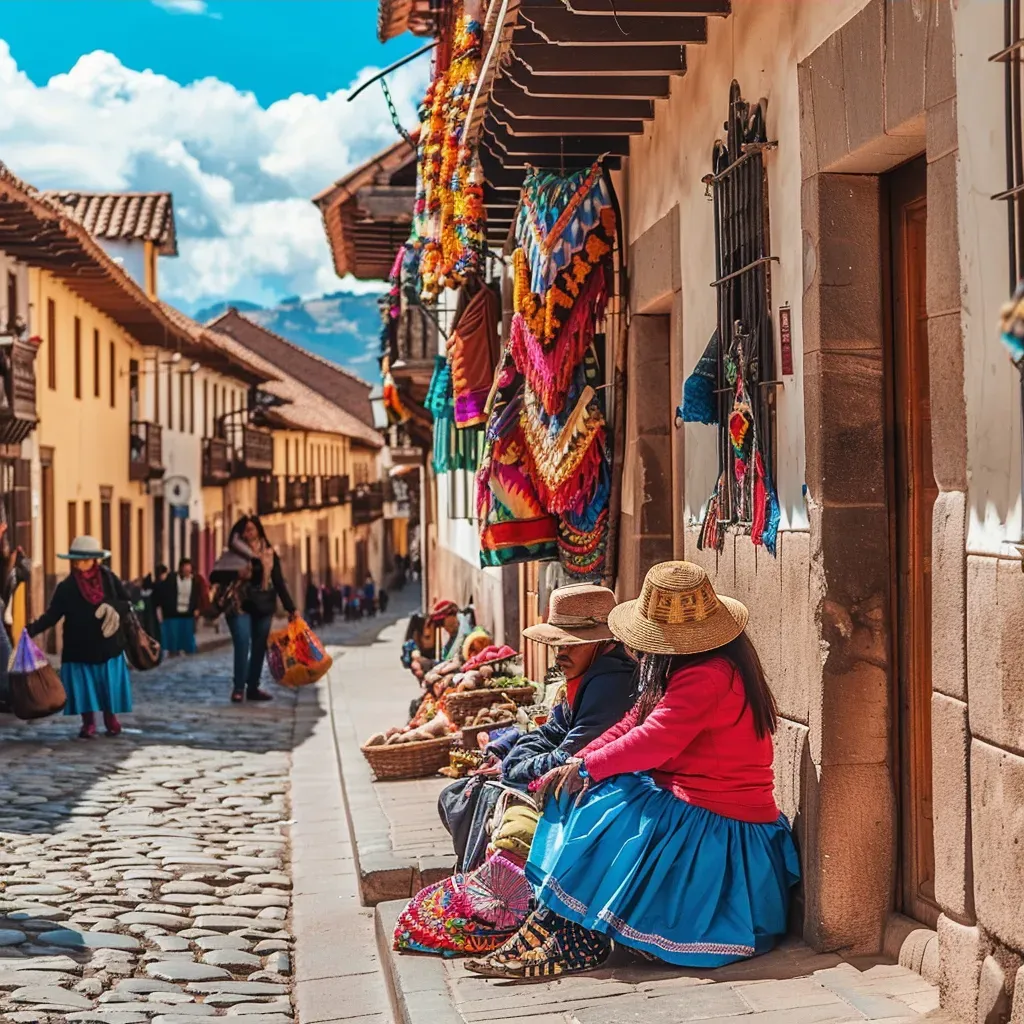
{"x": 678, "y": 613}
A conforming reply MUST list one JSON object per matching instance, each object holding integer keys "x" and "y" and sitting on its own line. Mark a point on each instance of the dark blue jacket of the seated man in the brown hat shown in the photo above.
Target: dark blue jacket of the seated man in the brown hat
{"x": 606, "y": 695}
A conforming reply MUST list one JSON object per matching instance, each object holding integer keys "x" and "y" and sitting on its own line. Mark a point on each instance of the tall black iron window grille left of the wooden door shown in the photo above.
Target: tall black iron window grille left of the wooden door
{"x": 739, "y": 186}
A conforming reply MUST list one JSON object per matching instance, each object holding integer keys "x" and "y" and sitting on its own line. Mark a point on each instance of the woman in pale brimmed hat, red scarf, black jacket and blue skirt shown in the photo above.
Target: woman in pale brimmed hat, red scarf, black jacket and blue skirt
{"x": 94, "y": 669}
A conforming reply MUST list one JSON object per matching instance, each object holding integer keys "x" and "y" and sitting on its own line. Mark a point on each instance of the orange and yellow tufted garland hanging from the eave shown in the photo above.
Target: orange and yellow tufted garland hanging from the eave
{"x": 449, "y": 215}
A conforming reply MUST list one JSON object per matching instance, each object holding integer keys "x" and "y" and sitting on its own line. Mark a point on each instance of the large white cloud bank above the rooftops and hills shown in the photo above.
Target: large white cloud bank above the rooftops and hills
{"x": 242, "y": 175}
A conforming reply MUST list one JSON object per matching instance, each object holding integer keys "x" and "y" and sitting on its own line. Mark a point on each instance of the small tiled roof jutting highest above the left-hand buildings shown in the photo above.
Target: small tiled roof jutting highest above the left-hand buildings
{"x": 123, "y": 217}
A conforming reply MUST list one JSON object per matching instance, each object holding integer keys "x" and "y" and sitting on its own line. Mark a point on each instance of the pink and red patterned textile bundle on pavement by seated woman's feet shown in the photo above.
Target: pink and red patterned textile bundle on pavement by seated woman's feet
{"x": 467, "y": 914}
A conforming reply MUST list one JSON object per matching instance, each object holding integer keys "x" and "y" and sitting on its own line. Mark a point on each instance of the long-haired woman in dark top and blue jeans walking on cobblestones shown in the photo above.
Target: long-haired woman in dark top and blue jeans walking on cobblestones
{"x": 250, "y": 625}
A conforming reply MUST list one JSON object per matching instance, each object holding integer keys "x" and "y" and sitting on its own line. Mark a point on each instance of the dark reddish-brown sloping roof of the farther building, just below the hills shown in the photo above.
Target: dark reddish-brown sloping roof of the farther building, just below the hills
{"x": 328, "y": 379}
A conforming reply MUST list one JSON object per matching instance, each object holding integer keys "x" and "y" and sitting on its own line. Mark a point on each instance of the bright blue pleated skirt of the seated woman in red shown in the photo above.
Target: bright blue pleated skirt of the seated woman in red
{"x": 659, "y": 875}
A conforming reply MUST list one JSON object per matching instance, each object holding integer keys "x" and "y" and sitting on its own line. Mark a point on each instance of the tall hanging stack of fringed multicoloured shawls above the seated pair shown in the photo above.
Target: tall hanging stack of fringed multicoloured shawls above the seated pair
{"x": 545, "y": 484}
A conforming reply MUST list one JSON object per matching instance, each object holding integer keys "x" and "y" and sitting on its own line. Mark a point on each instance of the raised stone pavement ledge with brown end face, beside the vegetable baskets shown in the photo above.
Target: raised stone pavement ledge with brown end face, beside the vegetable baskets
{"x": 383, "y": 875}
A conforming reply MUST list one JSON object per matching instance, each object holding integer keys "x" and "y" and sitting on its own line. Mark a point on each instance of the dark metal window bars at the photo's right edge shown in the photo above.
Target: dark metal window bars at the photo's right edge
{"x": 1012, "y": 58}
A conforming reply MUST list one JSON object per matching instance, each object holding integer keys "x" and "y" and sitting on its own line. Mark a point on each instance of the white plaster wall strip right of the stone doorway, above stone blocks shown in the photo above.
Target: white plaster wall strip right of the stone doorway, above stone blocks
{"x": 992, "y": 385}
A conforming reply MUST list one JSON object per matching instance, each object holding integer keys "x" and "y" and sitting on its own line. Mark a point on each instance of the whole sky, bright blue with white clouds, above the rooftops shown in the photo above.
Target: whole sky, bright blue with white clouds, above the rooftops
{"x": 237, "y": 107}
